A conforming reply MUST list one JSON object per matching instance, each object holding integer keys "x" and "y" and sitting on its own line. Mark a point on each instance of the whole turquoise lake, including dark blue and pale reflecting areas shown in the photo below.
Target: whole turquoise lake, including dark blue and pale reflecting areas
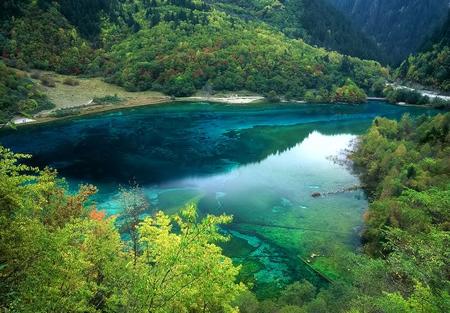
{"x": 260, "y": 163}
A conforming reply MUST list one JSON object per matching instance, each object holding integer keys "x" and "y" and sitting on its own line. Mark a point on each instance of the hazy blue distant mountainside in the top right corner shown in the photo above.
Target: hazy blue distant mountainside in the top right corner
{"x": 398, "y": 26}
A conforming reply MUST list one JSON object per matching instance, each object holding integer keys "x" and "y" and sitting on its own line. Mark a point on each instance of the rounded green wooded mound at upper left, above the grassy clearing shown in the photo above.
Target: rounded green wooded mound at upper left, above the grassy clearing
{"x": 53, "y": 45}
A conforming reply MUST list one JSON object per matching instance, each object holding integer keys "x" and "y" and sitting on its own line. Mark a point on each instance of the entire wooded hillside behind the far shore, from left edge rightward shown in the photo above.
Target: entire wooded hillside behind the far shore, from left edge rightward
{"x": 176, "y": 47}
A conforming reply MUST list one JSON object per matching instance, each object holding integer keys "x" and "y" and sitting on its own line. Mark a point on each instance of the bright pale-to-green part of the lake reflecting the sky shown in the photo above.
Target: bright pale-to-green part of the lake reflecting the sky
{"x": 275, "y": 216}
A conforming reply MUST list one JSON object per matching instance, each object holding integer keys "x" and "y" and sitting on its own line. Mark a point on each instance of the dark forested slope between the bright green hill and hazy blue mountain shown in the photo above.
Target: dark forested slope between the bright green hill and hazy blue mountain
{"x": 314, "y": 21}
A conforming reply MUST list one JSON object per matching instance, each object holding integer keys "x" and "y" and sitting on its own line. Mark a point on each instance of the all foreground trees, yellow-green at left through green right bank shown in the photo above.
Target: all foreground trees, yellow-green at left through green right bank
{"x": 59, "y": 254}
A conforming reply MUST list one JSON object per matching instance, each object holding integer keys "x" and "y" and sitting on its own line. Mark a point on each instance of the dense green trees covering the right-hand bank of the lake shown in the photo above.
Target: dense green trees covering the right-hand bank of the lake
{"x": 405, "y": 166}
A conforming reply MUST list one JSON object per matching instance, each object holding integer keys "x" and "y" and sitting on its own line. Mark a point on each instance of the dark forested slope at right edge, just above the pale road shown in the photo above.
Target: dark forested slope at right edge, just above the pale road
{"x": 431, "y": 67}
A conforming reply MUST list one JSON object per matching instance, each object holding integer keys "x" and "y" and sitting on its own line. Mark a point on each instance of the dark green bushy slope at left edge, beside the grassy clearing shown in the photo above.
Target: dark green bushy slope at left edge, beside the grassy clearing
{"x": 19, "y": 95}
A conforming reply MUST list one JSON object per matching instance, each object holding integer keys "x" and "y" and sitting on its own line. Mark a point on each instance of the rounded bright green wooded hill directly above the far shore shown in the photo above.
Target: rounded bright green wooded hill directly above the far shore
{"x": 179, "y": 58}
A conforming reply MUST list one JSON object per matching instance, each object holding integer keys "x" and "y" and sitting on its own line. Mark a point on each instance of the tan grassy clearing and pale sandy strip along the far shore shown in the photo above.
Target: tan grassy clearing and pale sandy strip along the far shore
{"x": 72, "y": 101}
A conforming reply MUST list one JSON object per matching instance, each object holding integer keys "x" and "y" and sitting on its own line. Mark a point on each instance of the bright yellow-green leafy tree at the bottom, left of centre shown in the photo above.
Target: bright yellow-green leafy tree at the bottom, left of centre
{"x": 179, "y": 271}
